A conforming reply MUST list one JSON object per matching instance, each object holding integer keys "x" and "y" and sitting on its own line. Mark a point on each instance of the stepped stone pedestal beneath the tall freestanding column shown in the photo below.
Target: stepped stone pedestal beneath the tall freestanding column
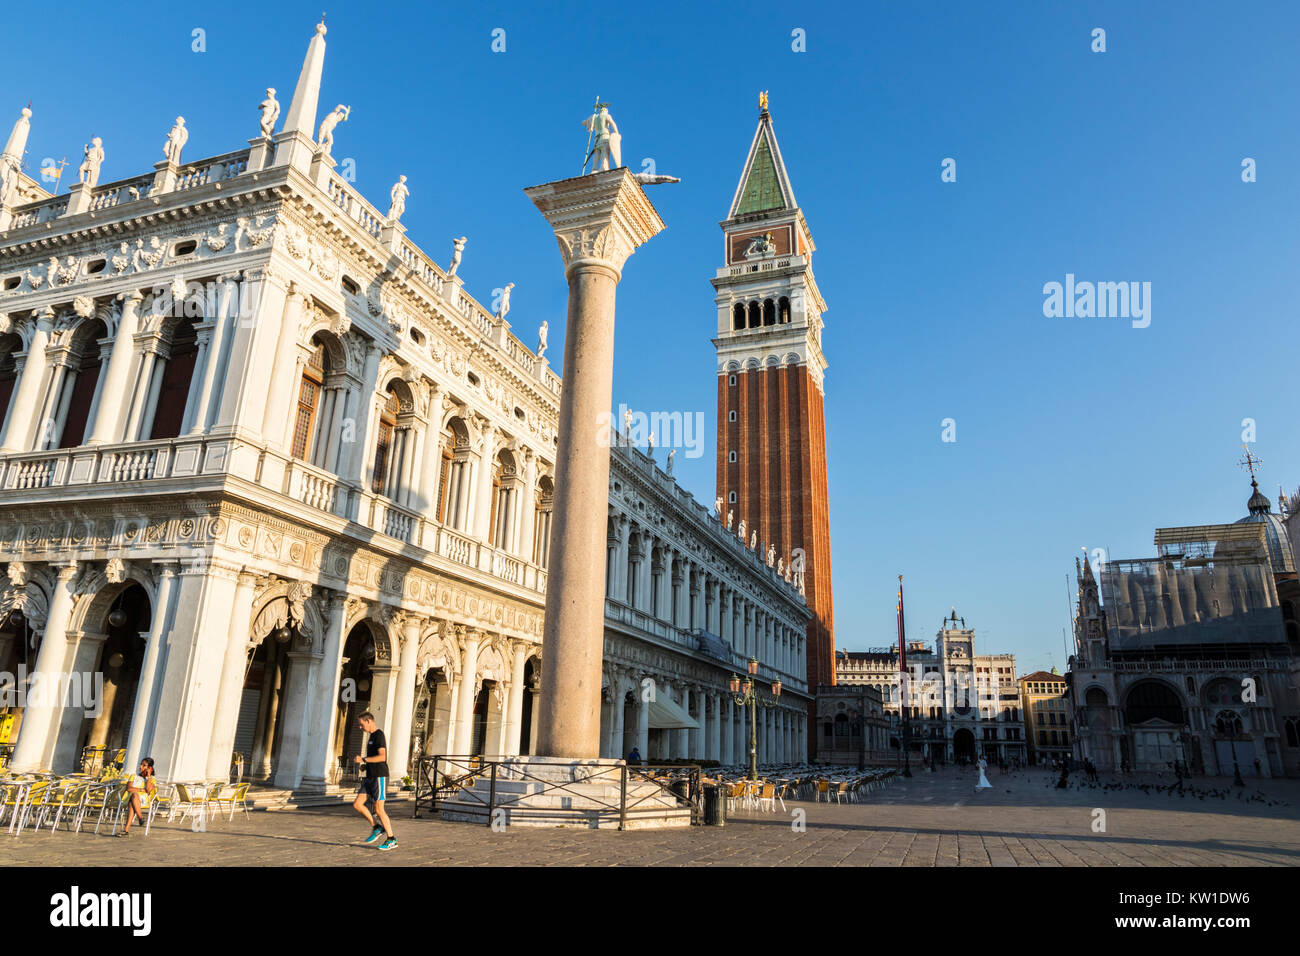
{"x": 548, "y": 793}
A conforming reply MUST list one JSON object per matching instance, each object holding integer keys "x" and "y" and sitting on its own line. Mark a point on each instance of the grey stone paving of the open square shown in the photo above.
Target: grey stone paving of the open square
{"x": 934, "y": 820}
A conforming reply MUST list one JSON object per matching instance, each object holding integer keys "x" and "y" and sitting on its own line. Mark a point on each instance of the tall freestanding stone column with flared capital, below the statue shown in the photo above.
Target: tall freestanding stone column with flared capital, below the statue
{"x": 599, "y": 220}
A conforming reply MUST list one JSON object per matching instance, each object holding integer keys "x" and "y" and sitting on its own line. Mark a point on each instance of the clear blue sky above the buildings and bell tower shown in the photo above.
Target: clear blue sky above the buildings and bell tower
{"x": 1115, "y": 167}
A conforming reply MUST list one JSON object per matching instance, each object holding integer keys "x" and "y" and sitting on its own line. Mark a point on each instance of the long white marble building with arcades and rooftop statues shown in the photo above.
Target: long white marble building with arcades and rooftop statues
{"x": 266, "y": 465}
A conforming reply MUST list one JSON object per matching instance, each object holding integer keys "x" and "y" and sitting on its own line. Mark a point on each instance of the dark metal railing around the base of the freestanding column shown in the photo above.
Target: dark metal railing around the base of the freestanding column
{"x": 443, "y": 778}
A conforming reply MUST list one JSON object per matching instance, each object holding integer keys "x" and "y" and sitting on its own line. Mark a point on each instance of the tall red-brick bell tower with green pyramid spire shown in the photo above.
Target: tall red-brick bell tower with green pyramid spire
{"x": 772, "y": 417}
